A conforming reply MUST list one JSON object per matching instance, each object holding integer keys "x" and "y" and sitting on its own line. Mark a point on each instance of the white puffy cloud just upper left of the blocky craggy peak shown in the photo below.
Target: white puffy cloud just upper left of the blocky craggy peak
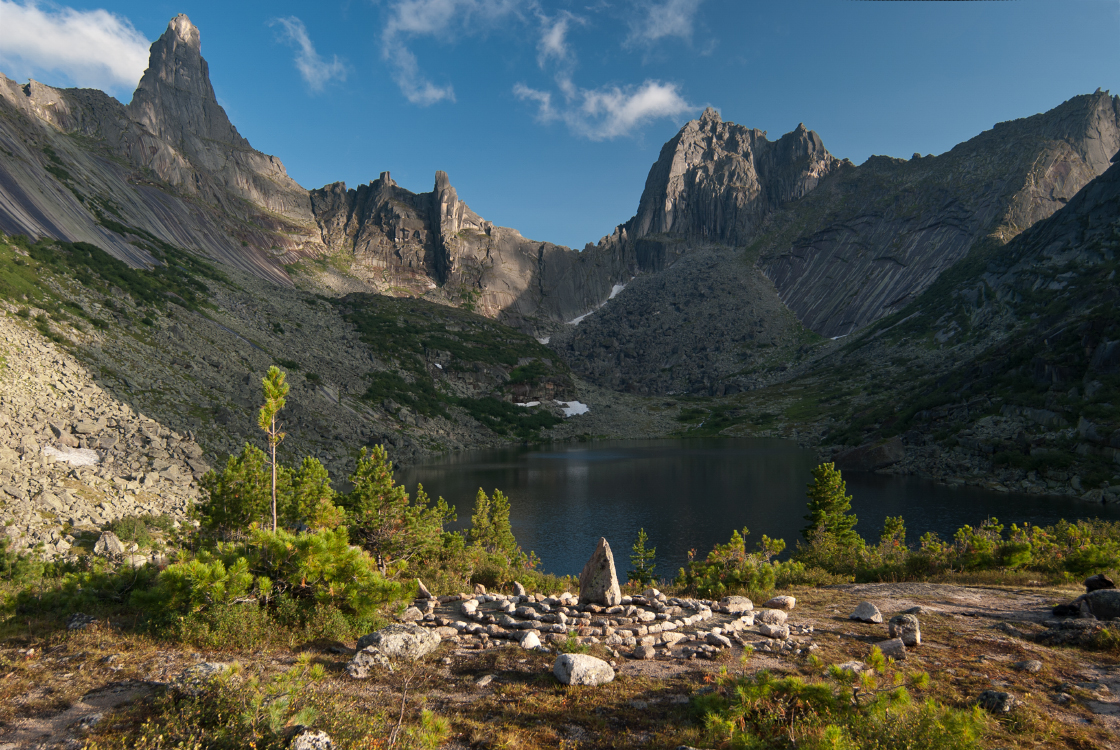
{"x": 608, "y": 112}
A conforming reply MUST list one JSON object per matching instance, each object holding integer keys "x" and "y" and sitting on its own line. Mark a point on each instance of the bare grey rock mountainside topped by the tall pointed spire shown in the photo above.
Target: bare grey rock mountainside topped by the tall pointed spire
{"x": 80, "y": 166}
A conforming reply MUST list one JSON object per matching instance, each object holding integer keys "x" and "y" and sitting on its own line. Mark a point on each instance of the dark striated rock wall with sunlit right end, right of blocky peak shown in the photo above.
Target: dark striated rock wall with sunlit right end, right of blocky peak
{"x": 871, "y": 239}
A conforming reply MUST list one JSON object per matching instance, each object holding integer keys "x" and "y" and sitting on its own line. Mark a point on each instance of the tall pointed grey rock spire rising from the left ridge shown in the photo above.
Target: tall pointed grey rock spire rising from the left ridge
{"x": 175, "y": 100}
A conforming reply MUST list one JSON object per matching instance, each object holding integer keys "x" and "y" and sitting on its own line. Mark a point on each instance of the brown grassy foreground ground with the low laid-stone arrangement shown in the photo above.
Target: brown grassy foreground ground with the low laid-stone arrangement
{"x": 974, "y": 640}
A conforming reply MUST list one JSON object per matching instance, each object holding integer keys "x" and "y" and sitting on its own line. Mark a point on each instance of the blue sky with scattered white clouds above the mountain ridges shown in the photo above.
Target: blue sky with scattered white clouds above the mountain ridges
{"x": 548, "y": 116}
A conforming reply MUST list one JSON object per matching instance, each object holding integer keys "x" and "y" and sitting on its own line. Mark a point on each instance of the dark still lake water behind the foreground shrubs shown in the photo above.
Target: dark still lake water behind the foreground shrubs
{"x": 693, "y": 494}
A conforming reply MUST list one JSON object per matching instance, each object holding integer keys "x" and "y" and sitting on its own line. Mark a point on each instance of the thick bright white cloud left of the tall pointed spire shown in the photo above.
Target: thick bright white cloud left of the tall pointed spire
{"x": 91, "y": 48}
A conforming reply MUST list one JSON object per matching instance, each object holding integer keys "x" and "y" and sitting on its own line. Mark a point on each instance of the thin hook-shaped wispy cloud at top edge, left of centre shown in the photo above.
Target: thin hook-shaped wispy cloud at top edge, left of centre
{"x": 441, "y": 20}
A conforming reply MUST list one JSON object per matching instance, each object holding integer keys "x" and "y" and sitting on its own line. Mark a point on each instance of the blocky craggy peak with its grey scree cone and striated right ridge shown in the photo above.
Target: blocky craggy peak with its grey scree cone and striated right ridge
{"x": 838, "y": 246}
